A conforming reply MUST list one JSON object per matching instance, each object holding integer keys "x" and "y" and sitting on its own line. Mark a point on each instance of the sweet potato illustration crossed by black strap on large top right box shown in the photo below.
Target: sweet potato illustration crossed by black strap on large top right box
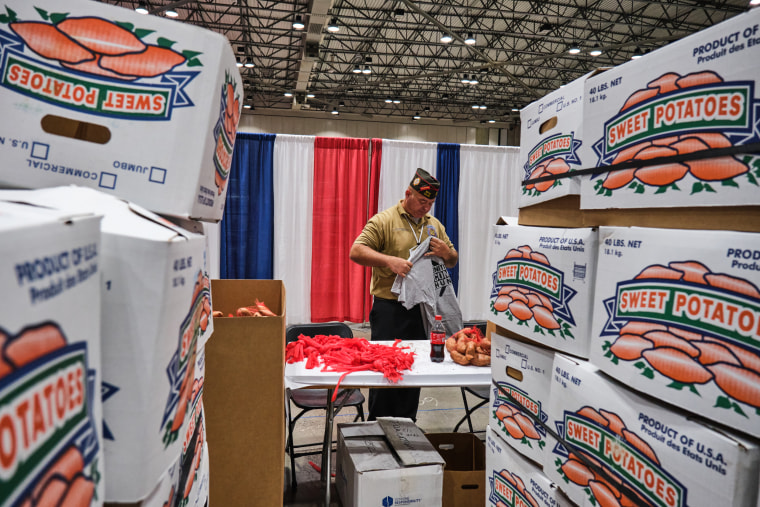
{"x": 681, "y": 115}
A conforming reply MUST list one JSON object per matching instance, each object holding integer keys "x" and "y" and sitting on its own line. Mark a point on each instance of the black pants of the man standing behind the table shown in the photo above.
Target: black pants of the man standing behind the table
{"x": 389, "y": 320}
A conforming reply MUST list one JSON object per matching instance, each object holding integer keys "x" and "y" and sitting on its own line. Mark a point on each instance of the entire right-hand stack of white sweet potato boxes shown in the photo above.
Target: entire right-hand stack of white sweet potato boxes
{"x": 632, "y": 376}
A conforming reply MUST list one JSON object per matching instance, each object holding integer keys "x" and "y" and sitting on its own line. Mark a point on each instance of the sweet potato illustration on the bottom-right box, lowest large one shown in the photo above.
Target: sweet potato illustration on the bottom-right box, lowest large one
{"x": 613, "y": 464}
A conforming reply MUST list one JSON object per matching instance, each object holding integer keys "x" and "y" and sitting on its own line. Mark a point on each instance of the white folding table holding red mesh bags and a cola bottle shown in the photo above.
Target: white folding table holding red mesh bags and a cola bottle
{"x": 424, "y": 373}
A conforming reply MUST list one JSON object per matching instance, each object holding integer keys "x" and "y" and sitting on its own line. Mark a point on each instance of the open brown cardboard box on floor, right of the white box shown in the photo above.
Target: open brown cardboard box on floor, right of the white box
{"x": 464, "y": 475}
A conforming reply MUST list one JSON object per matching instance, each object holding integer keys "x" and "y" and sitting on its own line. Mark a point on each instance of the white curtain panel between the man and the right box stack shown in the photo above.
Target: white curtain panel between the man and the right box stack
{"x": 489, "y": 186}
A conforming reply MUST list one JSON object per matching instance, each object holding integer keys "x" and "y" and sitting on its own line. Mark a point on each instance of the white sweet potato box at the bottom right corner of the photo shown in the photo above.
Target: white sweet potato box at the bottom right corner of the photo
{"x": 615, "y": 441}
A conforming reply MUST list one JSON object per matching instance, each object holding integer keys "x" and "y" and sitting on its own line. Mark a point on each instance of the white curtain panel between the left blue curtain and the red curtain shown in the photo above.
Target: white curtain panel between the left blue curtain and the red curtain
{"x": 293, "y": 182}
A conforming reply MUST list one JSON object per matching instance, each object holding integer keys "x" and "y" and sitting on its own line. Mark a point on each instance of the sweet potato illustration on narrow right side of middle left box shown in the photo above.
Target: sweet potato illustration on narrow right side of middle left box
{"x": 181, "y": 370}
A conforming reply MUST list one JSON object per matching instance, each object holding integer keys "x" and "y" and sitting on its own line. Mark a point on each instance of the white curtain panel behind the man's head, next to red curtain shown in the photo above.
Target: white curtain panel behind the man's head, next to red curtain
{"x": 399, "y": 162}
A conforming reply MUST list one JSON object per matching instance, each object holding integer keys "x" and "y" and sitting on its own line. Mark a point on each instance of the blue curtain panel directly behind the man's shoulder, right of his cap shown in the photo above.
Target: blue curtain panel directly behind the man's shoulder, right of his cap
{"x": 447, "y": 202}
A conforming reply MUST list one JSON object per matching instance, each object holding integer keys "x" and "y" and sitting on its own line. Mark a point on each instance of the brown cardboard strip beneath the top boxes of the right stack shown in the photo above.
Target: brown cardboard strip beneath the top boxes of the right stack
{"x": 566, "y": 212}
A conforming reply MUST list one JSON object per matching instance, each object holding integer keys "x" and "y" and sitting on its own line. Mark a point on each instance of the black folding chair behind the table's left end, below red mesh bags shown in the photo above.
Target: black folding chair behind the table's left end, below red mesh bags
{"x": 315, "y": 399}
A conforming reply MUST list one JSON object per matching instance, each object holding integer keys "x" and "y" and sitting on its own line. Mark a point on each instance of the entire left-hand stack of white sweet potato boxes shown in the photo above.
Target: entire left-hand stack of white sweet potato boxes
{"x": 115, "y": 143}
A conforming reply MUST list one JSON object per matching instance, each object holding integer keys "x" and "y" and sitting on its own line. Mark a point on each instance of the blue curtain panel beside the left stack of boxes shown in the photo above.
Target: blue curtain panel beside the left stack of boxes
{"x": 247, "y": 228}
